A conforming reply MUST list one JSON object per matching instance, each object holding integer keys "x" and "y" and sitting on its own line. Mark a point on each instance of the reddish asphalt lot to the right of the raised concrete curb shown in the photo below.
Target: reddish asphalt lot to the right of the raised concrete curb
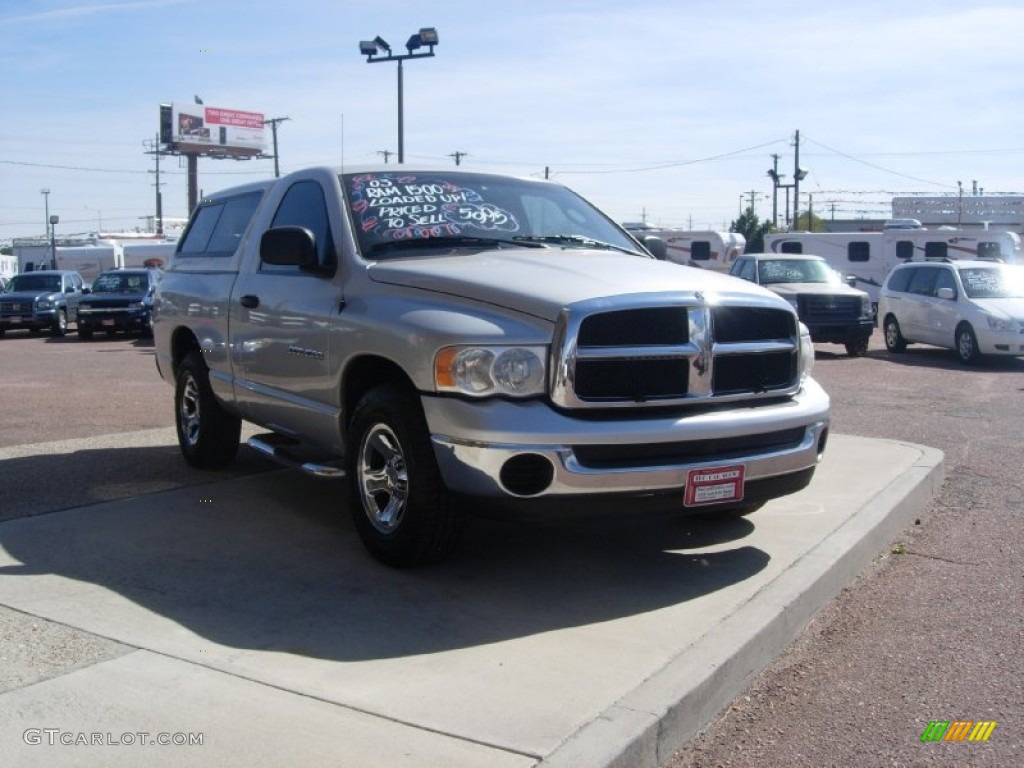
{"x": 934, "y": 628}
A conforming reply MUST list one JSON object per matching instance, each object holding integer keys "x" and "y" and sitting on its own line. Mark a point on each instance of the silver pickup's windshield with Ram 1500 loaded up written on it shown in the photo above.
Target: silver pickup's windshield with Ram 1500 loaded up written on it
{"x": 402, "y": 214}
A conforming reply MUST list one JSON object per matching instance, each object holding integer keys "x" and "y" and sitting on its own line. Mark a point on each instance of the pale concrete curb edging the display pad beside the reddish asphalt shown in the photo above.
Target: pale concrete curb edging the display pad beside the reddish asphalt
{"x": 648, "y": 726}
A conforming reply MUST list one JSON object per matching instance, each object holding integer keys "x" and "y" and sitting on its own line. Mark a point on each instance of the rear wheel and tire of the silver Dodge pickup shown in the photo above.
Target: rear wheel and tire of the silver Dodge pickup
{"x": 208, "y": 436}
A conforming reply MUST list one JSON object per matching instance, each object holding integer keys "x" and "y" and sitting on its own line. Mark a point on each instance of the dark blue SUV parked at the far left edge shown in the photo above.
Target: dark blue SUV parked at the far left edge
{"x": 39, "y": 301}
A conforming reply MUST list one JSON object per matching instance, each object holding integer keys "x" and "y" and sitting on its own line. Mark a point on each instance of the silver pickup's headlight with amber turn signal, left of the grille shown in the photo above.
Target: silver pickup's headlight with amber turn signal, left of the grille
{"x": 483, "y": 372}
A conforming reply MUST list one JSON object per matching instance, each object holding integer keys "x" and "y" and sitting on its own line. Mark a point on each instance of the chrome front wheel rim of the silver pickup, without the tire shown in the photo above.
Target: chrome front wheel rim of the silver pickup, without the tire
{"x": 383, "y": 479}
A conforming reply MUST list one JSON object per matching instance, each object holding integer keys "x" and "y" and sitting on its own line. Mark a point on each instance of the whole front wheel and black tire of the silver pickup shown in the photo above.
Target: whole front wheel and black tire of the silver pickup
{"x": 401, "y": 507}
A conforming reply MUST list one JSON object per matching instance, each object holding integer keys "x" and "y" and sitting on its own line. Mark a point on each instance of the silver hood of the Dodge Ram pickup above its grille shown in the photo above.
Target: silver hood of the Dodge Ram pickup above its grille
{"x": 541, "y": 282}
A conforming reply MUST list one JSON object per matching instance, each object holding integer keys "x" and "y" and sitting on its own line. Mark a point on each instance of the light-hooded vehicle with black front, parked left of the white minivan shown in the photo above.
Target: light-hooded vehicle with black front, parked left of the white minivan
{"x": 834, "y": 312}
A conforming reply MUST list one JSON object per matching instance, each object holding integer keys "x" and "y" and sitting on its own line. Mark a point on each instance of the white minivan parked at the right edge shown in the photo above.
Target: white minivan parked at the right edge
{"x": 973, "y": 308}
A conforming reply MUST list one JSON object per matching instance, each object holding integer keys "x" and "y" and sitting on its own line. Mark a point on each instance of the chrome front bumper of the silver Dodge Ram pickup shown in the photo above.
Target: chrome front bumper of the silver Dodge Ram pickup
{"x": 475, "y": 442}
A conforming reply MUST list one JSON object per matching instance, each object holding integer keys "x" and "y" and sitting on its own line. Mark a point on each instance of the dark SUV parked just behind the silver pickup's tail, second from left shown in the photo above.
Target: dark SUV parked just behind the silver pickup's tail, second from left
{"x": 121, "y": 301}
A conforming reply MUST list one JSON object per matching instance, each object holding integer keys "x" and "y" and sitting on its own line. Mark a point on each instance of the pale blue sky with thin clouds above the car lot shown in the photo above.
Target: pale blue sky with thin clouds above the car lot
{"x": 663, "y": 111}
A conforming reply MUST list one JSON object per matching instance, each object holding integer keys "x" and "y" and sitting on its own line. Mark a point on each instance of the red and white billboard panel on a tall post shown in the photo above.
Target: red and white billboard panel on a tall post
{"x": 212, "y": 131}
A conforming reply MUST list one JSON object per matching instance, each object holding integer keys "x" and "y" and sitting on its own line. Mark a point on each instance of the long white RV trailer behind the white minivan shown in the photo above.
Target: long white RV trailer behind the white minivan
{"x": 870, "y": 257}
